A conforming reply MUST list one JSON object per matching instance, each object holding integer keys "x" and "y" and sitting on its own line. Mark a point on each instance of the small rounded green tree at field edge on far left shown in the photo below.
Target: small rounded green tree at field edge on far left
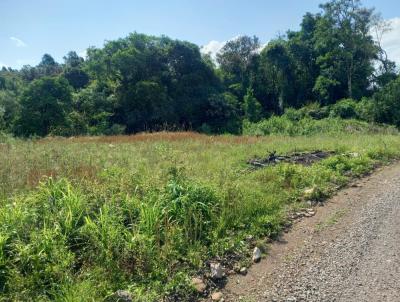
{"x": 45, "y": 105}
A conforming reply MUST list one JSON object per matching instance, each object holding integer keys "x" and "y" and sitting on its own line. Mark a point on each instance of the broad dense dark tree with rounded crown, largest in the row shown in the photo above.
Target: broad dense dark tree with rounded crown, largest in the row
{"x": 156, "y": 81}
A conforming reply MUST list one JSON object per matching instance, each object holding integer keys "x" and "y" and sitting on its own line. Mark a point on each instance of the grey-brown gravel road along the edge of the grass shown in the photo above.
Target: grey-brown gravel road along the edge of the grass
{"x": 349, "y": 251}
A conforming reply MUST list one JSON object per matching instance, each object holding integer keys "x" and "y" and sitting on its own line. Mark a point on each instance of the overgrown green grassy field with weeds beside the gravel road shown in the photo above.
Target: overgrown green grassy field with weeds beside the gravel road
{"x": 83, "y": 217}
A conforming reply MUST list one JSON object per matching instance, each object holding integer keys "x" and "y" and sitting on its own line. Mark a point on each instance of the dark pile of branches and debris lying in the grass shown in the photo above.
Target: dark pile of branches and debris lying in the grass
{"x": 301, "y": 158}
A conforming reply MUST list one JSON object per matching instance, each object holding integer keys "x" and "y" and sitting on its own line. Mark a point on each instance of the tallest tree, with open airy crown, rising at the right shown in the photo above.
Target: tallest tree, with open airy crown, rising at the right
{"x": 346, "y": 49}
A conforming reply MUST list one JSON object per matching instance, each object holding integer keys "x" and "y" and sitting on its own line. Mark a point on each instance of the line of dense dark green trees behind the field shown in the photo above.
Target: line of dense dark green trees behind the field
{"x": 148, "y": 83}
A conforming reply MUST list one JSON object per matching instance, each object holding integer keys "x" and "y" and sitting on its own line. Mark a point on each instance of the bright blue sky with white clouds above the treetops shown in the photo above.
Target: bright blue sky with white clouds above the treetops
{"x": 31, "y": 28}
